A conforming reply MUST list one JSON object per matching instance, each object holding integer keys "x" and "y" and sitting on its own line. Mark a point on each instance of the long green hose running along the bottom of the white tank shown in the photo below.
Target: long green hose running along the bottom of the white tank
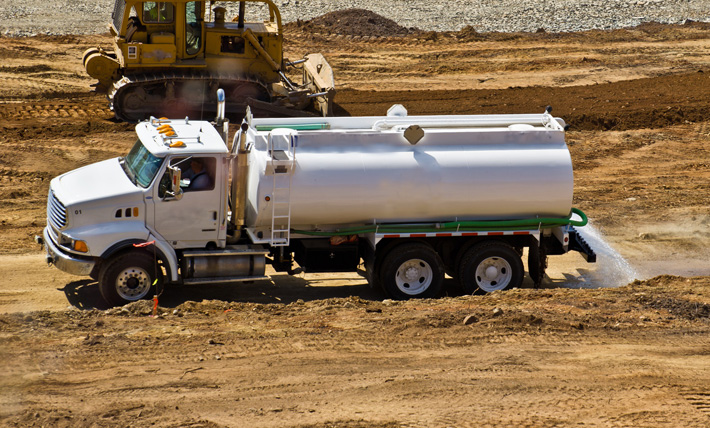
{"x": 455, "y": 226}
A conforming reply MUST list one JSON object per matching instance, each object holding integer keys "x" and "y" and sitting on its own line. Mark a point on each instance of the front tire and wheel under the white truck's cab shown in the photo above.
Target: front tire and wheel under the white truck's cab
{"x": 128, "y": 278}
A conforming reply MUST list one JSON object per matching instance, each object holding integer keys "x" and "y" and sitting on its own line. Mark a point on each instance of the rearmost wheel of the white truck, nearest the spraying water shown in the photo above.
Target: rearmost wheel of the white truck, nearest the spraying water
{"x": 490, "y": 266}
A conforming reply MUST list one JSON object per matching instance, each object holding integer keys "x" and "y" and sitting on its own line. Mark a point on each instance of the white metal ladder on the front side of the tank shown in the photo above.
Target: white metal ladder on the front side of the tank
{"x": 281, "y": 161}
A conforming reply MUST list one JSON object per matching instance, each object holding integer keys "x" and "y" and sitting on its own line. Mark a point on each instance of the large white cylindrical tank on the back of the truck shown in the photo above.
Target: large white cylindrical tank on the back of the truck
{"x": 359, "y": 171}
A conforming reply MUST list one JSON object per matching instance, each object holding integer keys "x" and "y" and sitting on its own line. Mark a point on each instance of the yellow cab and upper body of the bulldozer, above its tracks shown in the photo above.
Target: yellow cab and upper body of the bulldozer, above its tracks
{"x": 155, "y": 33}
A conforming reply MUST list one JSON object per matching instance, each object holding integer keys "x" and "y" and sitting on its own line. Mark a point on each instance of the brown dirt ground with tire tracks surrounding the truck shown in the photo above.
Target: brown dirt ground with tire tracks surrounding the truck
{"x": 328, "y": 351}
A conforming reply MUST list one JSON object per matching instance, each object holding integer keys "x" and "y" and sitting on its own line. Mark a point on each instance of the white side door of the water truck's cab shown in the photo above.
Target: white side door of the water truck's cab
{"x": 191, "y": 221}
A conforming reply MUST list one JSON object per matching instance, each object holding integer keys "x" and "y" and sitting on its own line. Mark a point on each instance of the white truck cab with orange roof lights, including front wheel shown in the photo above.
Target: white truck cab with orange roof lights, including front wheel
{"x": 101, "y": 216}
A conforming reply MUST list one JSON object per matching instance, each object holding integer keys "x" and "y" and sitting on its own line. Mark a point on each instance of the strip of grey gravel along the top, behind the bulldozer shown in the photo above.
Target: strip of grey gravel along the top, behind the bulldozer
{"x": 31, "y": 17}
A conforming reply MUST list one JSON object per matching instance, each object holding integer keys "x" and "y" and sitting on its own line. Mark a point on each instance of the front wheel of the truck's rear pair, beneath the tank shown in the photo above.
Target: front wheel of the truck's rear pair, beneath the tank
{"x": 412, "y": 270}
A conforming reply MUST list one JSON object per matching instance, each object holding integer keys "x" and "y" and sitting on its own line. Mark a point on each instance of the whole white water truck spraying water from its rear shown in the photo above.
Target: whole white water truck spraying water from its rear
{"x": 403, "y": 200}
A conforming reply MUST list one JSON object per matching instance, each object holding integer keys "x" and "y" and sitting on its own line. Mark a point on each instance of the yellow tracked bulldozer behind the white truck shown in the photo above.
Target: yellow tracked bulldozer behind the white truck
{"x": 169, "y": 58}
